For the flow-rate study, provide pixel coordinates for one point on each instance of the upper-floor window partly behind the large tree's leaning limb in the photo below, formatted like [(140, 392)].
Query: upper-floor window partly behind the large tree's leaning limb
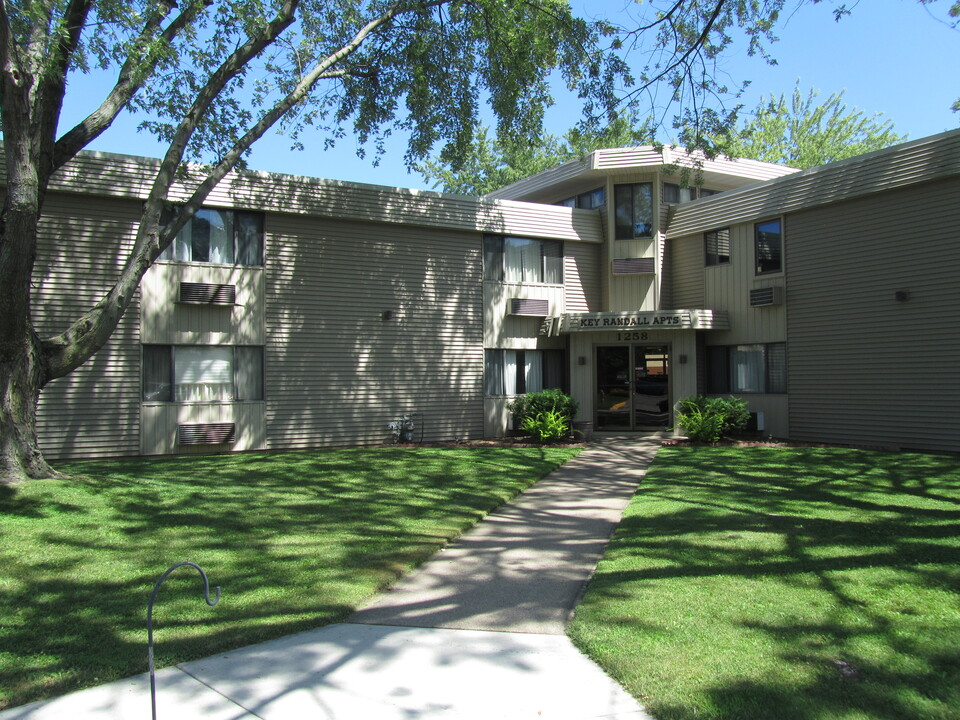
[(225, 237)]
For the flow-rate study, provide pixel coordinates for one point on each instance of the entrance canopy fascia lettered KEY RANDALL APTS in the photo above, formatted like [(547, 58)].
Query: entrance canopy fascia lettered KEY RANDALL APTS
[(695, 319)]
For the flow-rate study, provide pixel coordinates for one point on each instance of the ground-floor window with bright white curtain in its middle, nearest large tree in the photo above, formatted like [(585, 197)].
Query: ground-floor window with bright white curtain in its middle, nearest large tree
[(202, 373)]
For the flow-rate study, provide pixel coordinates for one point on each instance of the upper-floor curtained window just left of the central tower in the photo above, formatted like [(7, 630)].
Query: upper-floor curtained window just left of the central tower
[(513, 259)]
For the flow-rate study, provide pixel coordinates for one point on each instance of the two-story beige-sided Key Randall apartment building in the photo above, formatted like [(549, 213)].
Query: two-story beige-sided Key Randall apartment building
[(296, 312)]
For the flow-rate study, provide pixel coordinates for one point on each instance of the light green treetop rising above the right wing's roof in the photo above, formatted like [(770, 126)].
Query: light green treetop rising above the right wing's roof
[(804, 134)]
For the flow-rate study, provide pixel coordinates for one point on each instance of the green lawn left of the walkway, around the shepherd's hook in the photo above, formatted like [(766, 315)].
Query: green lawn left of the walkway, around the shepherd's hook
[(296, 540)]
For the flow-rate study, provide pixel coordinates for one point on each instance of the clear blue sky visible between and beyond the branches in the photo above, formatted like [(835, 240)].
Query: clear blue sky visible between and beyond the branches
[(895, 57)]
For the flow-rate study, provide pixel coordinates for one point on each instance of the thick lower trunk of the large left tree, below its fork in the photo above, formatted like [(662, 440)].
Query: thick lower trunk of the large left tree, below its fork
[(20, 383)]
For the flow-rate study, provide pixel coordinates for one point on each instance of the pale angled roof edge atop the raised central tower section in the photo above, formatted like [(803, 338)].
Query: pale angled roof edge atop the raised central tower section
[(601, 163)]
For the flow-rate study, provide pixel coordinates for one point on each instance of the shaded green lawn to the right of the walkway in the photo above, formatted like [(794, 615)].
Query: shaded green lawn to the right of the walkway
[(786, 583)]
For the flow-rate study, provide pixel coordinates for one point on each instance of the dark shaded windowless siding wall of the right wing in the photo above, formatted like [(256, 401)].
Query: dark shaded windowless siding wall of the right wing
[(865, 368)]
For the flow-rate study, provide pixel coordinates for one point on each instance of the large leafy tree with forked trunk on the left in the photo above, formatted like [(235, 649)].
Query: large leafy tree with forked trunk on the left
[(213, 76)]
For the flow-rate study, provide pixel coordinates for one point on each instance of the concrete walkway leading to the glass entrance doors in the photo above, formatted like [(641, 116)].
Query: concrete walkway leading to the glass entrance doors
[(475, 633)]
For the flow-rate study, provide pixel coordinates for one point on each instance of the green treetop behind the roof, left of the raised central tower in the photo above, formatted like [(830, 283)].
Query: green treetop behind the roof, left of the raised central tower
[(494, 163)]
